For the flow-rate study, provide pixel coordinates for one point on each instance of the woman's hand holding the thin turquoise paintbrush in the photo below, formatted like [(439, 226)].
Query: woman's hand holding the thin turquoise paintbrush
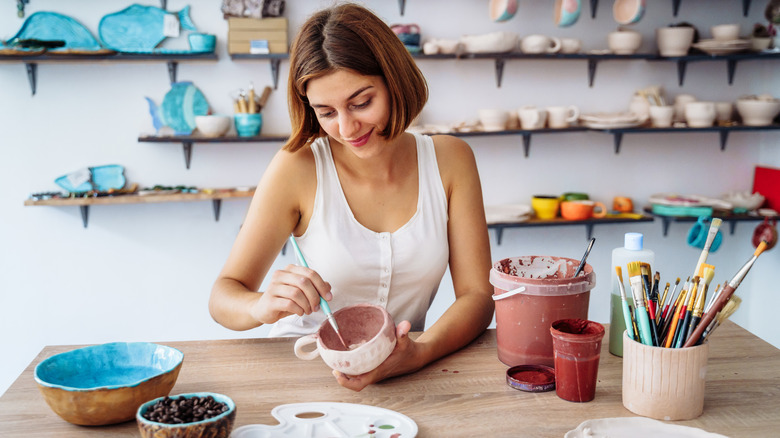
[(293, 290)]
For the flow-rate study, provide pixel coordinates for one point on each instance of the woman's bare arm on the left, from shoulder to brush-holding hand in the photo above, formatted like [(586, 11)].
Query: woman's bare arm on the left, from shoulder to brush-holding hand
[(275, 211)]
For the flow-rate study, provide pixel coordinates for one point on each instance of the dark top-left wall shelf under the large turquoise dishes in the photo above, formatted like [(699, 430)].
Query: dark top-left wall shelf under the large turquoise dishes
[(31, 62)]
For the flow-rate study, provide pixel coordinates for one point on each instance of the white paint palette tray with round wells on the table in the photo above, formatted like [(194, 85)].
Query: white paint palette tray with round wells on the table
[(325, 419)]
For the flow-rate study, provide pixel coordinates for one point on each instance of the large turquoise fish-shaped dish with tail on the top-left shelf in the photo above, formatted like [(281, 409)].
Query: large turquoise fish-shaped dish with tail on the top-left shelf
[(139, 28)]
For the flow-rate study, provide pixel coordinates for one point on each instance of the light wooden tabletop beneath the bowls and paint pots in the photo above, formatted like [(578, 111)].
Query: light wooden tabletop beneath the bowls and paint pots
[(462, 395)]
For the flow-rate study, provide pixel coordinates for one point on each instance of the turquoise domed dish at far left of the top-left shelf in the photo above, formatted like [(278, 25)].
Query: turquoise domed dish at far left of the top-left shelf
[(51, 26)]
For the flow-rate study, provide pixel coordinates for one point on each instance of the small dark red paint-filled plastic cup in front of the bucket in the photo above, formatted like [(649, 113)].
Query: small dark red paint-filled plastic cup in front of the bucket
[(576, 350)]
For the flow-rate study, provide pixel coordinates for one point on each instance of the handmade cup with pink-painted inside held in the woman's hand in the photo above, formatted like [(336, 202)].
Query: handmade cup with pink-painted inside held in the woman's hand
[(368, 331)]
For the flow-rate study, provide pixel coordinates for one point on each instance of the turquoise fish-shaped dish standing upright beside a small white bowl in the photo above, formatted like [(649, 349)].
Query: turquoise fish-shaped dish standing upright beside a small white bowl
[(179, 107)]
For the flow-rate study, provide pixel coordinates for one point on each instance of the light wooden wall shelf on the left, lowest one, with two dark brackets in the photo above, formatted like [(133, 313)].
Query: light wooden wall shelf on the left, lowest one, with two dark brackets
[(85, 202)]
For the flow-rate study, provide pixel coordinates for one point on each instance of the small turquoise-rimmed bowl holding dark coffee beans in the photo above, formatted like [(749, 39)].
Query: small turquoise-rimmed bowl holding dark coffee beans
[(216, 427)]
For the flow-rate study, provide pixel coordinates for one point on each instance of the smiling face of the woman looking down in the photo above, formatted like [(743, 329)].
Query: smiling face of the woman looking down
[(352, 109)]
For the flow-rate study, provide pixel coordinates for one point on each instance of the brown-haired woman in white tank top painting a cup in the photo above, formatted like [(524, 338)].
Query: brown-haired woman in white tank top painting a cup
[(378, 213)]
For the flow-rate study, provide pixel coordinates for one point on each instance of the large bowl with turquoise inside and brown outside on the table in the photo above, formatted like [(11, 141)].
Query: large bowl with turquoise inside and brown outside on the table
[(105, 384)]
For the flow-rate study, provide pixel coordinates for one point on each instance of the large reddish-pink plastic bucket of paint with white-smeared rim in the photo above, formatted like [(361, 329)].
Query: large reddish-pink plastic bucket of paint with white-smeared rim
[(551, 292)]
